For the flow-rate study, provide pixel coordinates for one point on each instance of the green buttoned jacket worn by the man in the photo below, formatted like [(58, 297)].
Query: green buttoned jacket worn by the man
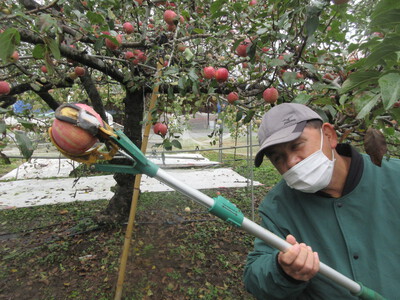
[(358, 235)]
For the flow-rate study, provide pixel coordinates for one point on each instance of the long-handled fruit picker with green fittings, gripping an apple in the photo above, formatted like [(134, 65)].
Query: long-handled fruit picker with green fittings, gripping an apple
[(86, 120)]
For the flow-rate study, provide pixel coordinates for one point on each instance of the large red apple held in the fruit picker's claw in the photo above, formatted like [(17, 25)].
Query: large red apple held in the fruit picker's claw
[(71, 138)]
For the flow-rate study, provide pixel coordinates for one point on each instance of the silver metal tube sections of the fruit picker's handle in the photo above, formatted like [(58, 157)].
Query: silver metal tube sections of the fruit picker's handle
[(256, 230)]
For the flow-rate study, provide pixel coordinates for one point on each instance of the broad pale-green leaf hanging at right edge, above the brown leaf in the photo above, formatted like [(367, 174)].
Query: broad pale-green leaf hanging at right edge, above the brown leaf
[(390, 89)]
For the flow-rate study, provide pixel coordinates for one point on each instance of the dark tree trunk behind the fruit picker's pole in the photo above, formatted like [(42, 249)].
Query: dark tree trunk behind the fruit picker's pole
[(119, 205)]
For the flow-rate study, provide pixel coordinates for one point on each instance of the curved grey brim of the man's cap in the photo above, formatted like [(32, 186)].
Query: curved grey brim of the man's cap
[(284, 135)]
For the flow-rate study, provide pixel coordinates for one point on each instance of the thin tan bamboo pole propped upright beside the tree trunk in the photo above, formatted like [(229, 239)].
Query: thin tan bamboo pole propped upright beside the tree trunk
[(136, 191)]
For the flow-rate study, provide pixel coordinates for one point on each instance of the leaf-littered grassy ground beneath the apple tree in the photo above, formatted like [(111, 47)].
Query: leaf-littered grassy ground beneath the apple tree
[(60, 252)]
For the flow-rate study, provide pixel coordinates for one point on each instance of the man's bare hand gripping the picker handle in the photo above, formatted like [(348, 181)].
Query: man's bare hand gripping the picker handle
[(299, 261)]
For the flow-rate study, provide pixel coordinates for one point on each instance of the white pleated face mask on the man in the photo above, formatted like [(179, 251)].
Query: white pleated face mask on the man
[(312, 174)]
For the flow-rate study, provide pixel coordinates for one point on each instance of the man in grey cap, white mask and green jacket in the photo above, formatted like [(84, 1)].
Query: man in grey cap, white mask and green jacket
[(332, 205)]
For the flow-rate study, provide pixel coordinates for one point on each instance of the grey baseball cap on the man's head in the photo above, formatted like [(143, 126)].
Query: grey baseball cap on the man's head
[(282, 123)]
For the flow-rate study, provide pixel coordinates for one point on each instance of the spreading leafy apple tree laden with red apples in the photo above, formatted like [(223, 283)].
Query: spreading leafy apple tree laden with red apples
[(337, 56)]
